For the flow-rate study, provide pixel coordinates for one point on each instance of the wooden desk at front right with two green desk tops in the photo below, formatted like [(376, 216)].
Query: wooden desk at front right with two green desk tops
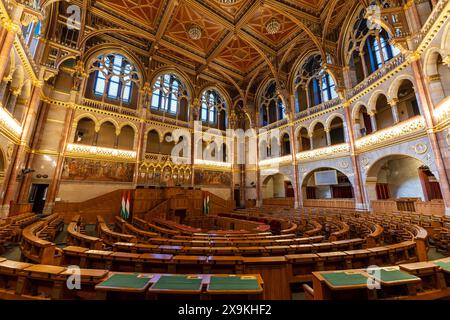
[(424, 280)]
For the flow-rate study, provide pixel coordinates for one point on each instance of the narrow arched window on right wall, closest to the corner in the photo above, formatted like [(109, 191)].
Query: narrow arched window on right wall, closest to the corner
[(272, 108)]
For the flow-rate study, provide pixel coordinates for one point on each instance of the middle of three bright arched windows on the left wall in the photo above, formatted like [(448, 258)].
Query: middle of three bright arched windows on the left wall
[(168, 92)]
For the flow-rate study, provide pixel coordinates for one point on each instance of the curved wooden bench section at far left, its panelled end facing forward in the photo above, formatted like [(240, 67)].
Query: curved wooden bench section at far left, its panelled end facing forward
[(38, 250)]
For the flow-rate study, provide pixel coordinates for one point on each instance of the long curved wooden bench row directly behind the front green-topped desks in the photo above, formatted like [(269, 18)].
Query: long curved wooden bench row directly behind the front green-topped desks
[(278, 272)]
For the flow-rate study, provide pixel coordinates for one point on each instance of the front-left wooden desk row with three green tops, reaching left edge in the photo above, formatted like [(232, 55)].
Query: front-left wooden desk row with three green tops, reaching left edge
[(25, 281)]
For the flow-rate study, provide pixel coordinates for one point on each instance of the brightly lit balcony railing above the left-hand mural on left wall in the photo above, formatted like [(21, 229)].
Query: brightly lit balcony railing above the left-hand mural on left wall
[(93, 151)]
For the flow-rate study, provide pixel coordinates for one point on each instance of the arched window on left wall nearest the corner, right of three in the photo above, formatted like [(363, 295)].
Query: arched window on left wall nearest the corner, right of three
[(212, 105)]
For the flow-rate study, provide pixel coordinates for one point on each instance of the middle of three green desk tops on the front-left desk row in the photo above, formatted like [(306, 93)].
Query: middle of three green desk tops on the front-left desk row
[(178, 284)]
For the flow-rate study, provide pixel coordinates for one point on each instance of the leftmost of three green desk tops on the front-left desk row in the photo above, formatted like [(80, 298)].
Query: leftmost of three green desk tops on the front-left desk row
[(136, 283)]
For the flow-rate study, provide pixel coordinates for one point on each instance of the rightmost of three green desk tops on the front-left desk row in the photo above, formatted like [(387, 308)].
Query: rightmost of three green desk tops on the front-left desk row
[(235, 284)]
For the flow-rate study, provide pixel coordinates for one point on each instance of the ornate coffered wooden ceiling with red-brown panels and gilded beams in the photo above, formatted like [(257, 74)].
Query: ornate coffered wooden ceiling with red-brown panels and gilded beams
[(233, 42)]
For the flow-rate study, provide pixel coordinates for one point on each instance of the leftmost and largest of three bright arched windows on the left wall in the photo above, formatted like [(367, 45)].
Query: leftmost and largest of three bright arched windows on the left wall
[(114, 77)]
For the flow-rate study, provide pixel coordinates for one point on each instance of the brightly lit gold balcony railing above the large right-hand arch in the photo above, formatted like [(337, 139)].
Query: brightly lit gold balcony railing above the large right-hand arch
[(402, 129)]
